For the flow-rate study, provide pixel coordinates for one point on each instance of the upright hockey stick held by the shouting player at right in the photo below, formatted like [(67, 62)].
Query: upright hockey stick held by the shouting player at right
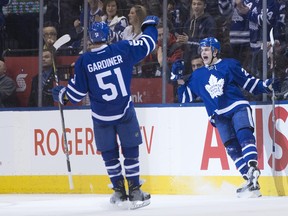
[(273, 99)]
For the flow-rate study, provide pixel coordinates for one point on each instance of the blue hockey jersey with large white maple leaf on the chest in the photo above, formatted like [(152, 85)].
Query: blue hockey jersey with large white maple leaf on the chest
[(219, 86)]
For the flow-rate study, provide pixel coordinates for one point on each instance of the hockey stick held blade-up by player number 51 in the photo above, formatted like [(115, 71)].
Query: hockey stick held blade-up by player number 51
[(60, 42)]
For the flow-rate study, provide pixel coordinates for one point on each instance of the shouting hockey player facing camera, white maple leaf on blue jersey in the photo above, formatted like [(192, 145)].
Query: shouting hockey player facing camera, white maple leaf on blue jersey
[(217, 83)]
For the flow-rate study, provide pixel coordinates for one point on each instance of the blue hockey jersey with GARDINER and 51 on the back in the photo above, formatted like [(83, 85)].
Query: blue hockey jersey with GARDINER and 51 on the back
[(105, 74)]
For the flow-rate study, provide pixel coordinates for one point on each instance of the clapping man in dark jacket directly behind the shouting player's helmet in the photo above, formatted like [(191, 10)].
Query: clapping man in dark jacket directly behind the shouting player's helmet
[(201, 25)]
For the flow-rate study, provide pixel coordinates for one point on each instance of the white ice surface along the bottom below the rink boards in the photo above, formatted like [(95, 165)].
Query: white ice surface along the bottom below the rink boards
[(176, 205)]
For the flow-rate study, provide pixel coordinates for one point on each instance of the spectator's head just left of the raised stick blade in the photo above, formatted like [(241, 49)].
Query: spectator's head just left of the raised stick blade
[(49, 34)]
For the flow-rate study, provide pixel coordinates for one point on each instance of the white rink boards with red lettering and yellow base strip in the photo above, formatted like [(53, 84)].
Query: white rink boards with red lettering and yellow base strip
[(181, 152)]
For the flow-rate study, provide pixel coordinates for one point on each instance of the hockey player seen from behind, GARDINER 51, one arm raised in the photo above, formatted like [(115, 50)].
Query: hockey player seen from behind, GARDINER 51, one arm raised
[(105, 74)]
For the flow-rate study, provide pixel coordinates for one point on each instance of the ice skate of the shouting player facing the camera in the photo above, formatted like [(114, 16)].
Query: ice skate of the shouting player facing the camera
[(251, 187)]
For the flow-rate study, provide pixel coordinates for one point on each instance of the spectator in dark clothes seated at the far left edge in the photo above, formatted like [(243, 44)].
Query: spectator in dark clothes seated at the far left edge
[(7, 88)]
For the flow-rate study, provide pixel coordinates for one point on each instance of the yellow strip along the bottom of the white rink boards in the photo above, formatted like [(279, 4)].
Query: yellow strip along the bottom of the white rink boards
[(186, 185)]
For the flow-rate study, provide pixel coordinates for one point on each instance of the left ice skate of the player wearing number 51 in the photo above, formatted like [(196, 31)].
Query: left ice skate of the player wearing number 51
[(119, 197)]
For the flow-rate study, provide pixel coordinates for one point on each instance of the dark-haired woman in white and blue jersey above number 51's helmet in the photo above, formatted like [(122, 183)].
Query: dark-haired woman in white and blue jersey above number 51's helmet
[(114, 19)]
